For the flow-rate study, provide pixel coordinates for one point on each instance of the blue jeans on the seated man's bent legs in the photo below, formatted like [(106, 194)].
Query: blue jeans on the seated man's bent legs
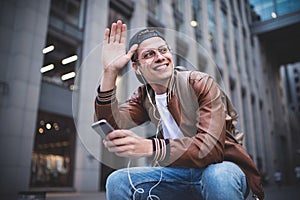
[(217, 181)]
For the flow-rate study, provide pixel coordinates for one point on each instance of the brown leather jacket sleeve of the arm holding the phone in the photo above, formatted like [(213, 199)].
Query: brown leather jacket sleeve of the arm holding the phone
[(207, 145)]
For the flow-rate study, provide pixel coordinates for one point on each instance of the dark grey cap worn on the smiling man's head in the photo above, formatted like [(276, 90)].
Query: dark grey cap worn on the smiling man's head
[(142, 35)]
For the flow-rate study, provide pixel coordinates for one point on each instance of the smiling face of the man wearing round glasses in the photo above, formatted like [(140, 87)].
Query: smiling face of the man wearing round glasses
[(155, 61)]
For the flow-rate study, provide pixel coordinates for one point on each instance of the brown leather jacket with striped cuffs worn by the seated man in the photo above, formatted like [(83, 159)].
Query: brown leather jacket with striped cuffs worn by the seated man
[(202, 115)]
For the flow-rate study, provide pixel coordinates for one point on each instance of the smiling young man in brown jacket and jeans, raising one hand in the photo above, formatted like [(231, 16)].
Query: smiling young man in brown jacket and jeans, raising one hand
[(193, 156)]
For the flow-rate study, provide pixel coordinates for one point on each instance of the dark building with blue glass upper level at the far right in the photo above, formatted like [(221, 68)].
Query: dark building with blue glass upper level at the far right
[(276, 25)]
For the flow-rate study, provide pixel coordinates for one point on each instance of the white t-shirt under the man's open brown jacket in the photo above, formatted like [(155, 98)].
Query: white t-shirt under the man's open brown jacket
[(169, 125)]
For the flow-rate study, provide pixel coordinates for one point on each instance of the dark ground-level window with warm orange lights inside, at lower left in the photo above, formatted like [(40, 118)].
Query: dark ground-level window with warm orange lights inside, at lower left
[(52, 162)]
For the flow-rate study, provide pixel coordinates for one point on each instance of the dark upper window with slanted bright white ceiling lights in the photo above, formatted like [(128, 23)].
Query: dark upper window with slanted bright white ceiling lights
[(63, 50)]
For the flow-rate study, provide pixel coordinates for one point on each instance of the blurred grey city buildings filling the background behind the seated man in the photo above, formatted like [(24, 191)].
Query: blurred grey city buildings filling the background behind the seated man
[(254, 44)]
